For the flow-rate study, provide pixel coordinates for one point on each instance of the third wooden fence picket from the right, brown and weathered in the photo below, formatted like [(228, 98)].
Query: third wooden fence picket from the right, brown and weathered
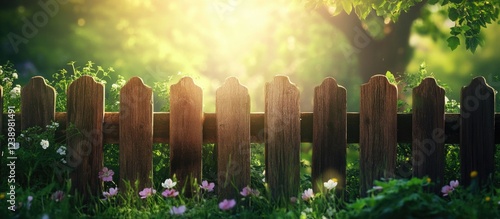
[(378, 131)]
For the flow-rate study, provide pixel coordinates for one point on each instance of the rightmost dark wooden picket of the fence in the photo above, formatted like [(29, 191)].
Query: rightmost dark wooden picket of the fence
[(477, 130)]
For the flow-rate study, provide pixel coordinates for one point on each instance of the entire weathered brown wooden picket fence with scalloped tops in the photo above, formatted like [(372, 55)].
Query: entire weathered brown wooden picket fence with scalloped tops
[(282, 127)]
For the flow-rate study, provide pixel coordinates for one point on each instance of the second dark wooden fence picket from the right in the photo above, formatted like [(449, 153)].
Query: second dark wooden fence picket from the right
[(428, 155)]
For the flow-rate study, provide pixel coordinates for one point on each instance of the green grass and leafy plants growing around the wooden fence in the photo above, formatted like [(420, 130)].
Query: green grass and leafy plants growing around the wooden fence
[(42, 185)]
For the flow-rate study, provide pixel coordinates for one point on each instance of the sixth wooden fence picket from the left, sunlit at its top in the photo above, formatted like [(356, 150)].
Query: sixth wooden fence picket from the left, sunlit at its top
[(282, 136)]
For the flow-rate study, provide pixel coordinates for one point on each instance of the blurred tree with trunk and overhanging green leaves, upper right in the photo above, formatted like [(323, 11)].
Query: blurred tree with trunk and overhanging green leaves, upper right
[(380, 30)]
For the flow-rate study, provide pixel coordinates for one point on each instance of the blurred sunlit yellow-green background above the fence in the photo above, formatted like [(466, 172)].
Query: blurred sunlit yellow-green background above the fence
[(211, 40)]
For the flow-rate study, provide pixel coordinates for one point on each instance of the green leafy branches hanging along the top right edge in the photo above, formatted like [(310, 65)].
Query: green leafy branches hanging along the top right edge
[(469, 17)]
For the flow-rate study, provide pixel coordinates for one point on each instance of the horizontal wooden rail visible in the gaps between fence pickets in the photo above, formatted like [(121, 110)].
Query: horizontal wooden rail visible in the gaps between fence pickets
[(161, 127)]
